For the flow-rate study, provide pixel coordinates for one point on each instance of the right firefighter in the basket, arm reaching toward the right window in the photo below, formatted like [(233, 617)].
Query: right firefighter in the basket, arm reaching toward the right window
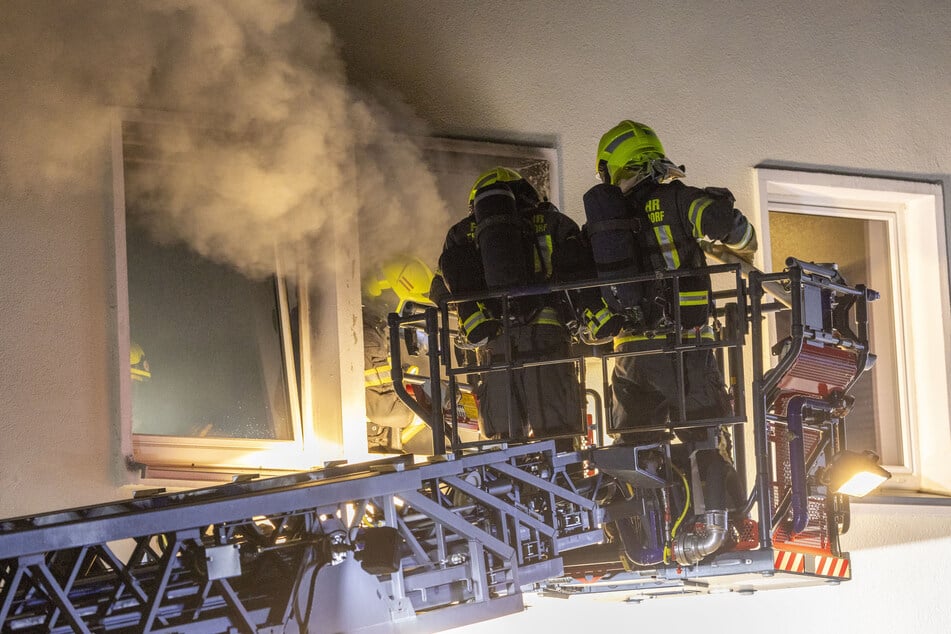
[(641, 218)]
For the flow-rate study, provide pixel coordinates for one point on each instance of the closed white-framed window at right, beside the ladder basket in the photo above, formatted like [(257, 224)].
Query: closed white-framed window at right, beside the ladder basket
[(889, 235)]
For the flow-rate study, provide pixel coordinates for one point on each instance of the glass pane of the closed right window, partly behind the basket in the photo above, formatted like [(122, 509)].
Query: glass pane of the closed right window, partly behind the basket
[(861, 249)]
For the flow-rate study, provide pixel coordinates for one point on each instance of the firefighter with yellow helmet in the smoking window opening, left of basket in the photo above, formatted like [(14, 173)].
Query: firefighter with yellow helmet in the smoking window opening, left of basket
[(401, 284)]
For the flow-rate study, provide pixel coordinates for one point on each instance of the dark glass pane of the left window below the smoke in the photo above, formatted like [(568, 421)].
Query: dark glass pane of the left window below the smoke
[(211, 338)]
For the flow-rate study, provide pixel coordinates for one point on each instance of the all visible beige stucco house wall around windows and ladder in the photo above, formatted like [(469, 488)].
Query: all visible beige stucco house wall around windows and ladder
[(857, 87)]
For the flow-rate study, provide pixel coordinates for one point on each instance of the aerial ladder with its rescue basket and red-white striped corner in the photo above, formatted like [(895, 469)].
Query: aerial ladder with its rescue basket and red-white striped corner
[(403, 545)]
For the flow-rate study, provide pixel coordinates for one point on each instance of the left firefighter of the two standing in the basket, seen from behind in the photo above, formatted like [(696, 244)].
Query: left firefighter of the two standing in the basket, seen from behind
[(514, 239)]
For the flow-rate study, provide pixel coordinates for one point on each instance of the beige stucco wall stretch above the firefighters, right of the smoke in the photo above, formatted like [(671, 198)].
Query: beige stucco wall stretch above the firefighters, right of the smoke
[(727, 85)]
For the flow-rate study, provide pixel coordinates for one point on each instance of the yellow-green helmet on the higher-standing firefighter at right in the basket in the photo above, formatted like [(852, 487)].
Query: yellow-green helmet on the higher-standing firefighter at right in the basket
[(627, 149)]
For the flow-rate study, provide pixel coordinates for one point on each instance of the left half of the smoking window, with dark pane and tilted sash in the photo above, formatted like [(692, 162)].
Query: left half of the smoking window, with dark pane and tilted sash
[(214, 355)]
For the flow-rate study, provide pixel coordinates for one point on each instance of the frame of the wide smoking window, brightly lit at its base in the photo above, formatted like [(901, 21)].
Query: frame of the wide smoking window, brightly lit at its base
[(328, 418)]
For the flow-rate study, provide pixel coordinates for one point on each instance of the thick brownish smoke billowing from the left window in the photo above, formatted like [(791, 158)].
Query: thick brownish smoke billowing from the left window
[(253, 140)]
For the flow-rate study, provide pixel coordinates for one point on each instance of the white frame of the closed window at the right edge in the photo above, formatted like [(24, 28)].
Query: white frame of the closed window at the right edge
[(915, 213)]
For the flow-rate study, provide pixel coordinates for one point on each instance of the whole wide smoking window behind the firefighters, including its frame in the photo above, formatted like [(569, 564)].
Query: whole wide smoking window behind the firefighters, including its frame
[(232, 372)]
